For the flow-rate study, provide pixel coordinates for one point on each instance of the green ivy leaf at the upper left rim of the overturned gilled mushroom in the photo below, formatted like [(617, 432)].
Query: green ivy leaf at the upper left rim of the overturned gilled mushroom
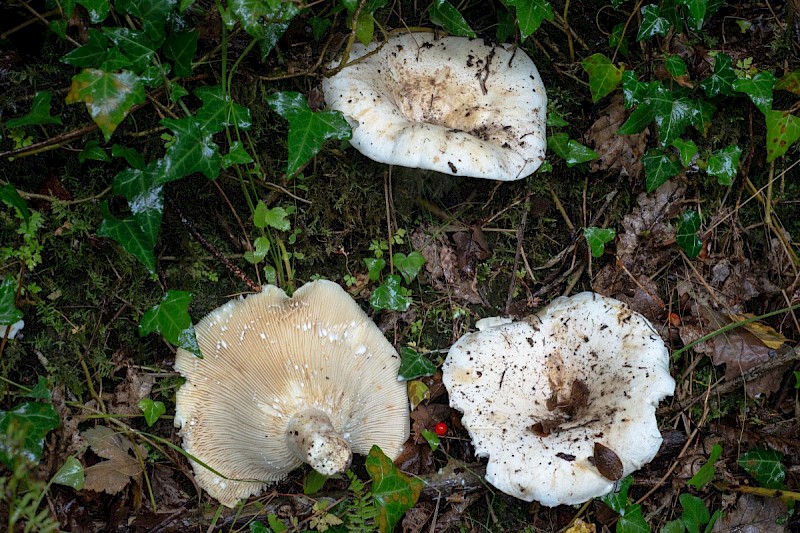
[(171, 319)]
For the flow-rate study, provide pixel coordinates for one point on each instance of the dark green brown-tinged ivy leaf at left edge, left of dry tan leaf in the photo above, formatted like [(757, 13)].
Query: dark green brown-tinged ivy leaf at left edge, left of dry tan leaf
[(23, 430)]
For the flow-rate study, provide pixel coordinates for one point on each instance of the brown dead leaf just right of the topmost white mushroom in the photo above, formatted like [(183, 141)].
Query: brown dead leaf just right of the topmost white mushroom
[(618, 152)]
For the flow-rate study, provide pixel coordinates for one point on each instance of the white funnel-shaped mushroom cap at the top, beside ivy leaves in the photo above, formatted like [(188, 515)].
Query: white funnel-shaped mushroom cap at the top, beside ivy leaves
[(454, 105)]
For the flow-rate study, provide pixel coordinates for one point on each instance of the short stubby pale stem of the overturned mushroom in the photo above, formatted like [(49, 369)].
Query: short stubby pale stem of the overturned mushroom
[(312, 438)]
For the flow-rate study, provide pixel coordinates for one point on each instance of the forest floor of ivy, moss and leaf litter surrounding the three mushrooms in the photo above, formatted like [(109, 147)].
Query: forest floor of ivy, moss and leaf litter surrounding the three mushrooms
[(708, 256)]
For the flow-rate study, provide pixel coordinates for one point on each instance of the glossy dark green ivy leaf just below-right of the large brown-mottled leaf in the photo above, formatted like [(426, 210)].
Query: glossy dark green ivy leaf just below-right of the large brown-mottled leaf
[(193, 150)]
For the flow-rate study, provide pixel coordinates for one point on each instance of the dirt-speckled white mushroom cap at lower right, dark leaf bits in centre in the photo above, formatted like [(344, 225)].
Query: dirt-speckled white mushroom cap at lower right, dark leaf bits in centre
[(507, 380)]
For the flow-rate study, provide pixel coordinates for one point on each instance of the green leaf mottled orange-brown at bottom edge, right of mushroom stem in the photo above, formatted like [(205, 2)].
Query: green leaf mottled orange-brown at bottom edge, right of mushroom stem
[(393, 491)]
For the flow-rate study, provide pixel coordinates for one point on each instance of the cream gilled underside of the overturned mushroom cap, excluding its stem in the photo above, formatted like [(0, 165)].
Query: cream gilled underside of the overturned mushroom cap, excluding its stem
[(267, 357)]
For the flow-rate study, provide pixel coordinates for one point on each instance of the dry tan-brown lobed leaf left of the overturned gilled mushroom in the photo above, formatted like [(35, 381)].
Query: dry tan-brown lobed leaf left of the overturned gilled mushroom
[(113, 475)]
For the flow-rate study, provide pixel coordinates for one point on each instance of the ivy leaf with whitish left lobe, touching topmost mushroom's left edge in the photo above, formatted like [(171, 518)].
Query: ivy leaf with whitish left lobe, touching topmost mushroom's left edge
[(308, 130)]
